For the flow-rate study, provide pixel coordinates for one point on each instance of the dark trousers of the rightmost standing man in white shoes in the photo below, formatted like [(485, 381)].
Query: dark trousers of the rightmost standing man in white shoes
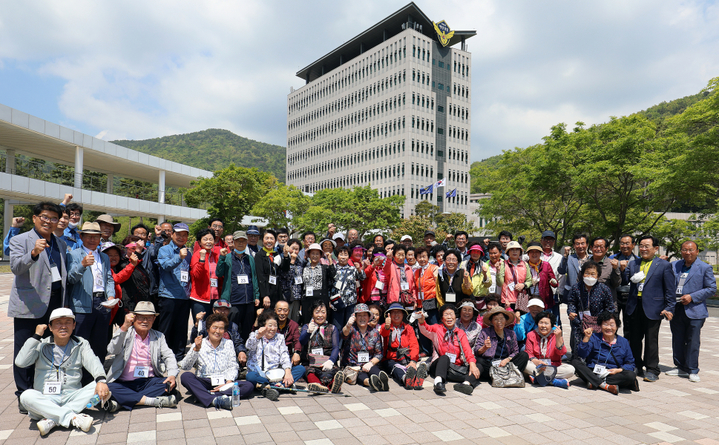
[(686, 340)]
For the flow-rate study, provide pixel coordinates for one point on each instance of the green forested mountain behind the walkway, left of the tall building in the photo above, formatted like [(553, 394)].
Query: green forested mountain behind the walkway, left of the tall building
[(213, 150)]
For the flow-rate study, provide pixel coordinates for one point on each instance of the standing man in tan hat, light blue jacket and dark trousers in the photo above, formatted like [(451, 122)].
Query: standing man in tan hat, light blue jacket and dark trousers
[(90, 285)]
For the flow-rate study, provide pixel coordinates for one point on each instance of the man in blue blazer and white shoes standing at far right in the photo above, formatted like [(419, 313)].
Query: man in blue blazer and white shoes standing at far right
[(694, 284)]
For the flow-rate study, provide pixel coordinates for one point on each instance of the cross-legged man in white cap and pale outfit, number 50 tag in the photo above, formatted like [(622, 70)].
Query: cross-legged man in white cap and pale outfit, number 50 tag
[(57, 396)]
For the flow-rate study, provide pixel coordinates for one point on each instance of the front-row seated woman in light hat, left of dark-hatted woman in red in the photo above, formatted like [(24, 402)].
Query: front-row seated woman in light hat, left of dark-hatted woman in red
[(364, 349)]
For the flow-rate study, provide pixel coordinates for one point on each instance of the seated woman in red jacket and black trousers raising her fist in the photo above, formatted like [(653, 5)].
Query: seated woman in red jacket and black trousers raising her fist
[(452, 357)]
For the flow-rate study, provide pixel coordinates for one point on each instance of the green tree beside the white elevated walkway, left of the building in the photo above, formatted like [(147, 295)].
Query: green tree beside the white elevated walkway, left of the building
[(230, 193)]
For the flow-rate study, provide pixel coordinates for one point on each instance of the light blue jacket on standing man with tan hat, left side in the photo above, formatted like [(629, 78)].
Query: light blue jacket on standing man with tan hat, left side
[(80, 280)]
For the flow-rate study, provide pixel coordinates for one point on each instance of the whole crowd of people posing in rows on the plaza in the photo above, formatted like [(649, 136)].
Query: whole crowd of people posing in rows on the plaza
[(105, 324)]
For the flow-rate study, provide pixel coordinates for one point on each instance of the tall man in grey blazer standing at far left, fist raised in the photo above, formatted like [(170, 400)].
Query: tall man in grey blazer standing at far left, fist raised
[(37, 259)]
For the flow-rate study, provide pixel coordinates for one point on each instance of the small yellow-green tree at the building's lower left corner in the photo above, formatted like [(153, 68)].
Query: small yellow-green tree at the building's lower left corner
[(282, 206)]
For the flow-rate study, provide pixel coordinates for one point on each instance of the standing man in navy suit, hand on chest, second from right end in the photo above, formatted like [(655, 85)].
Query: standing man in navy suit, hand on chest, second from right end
[(651, 297)]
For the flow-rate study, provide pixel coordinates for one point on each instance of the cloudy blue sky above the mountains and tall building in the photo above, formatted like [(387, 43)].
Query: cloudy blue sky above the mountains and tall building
[(139, 69)]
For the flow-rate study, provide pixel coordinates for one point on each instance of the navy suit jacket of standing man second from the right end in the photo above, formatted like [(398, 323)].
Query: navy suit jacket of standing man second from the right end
[(659, 289)]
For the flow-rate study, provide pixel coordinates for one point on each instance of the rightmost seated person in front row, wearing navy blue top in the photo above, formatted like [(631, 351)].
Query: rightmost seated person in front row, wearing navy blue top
[(608, 357)]
